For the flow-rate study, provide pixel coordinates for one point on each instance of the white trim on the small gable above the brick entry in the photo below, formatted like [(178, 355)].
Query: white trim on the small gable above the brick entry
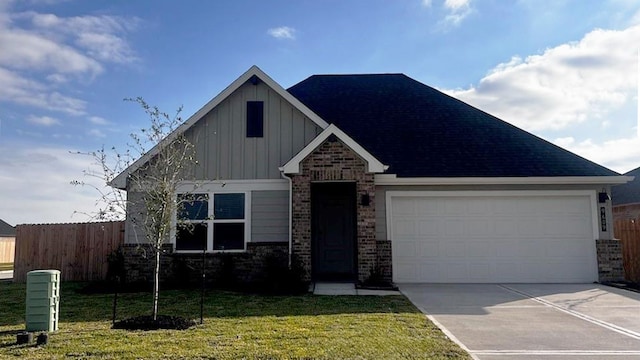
[(293, 165)]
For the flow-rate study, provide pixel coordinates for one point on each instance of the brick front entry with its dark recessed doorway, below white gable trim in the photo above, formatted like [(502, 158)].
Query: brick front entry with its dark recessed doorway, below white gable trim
[(333, 215)]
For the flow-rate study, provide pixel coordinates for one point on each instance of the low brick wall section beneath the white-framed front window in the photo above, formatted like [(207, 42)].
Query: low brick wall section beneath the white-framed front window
[(243, 267)]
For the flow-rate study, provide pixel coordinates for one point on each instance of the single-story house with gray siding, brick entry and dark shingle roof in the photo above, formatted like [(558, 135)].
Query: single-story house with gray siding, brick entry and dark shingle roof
[(358, 176)]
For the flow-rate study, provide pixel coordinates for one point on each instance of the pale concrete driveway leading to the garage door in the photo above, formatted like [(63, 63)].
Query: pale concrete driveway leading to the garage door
[(534, 321)]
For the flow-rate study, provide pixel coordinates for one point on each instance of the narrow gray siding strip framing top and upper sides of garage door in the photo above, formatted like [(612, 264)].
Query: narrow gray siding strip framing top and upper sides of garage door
[(381, 210)]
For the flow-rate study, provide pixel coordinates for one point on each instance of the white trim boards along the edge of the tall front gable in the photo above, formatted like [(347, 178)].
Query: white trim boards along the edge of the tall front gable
[(120, 181)]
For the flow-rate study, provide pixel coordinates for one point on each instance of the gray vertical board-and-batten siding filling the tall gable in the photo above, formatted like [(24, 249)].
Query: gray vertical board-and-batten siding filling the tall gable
[(223, 150)]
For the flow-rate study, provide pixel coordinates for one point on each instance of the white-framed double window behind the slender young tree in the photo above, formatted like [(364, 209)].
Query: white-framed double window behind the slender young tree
[(212, 222)]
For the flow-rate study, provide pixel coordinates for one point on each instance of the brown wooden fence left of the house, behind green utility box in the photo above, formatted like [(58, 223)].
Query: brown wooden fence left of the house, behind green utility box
[(79, 251)]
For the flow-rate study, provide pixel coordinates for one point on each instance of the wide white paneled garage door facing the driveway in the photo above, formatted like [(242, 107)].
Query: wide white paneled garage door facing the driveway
[(487, 237)]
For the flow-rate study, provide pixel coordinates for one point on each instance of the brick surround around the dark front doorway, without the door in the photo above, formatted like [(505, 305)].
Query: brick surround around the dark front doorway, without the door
[(334, 161)]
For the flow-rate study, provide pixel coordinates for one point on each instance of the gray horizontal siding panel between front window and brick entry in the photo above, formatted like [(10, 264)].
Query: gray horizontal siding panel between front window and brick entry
[(269, 216)]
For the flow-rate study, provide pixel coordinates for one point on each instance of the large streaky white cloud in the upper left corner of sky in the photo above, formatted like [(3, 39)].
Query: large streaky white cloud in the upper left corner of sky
[(57, 50)]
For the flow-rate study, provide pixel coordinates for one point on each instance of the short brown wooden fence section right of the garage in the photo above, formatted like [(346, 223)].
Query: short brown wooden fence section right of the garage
[(628, 231)]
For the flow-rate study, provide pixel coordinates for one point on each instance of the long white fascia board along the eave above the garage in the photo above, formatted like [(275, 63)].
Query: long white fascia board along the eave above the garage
[(392, 179)]
